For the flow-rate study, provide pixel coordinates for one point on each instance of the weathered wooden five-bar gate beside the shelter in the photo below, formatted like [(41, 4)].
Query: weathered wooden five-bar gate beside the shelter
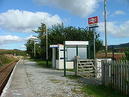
[(85, 67)]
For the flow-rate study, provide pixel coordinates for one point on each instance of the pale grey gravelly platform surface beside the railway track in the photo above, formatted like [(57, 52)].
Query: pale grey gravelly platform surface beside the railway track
[(30, 80)]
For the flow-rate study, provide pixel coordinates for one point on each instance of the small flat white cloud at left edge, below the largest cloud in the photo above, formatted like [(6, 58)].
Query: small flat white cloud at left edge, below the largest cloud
[(7, 39)]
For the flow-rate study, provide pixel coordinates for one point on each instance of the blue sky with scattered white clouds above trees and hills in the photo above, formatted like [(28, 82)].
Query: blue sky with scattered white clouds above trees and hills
[(19, 17)]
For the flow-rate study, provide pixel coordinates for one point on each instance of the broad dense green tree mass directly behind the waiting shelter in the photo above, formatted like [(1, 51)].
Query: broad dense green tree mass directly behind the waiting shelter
[(58, 34)]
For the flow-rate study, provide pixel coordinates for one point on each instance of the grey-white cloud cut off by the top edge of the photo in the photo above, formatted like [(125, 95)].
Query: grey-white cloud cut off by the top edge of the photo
[(81, 8)]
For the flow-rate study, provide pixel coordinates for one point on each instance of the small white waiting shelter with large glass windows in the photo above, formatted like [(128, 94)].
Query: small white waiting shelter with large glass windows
[(63, 54)]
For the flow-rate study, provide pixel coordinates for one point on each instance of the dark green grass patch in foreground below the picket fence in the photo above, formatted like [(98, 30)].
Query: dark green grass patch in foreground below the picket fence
[(100, 91)]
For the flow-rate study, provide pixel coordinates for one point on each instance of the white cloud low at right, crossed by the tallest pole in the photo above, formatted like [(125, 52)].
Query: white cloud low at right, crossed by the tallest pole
[(116, 29)]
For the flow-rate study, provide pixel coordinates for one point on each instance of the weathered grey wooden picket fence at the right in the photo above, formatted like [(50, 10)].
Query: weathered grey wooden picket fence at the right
[(116, 74)]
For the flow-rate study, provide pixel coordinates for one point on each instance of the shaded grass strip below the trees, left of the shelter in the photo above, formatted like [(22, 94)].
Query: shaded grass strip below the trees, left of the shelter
[(42, 63)]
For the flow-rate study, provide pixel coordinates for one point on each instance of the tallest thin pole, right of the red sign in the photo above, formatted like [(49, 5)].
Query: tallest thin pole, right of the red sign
[(105, 25)]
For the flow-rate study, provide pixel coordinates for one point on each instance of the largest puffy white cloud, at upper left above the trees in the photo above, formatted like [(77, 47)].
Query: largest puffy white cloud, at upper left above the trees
[(26, 21)]
